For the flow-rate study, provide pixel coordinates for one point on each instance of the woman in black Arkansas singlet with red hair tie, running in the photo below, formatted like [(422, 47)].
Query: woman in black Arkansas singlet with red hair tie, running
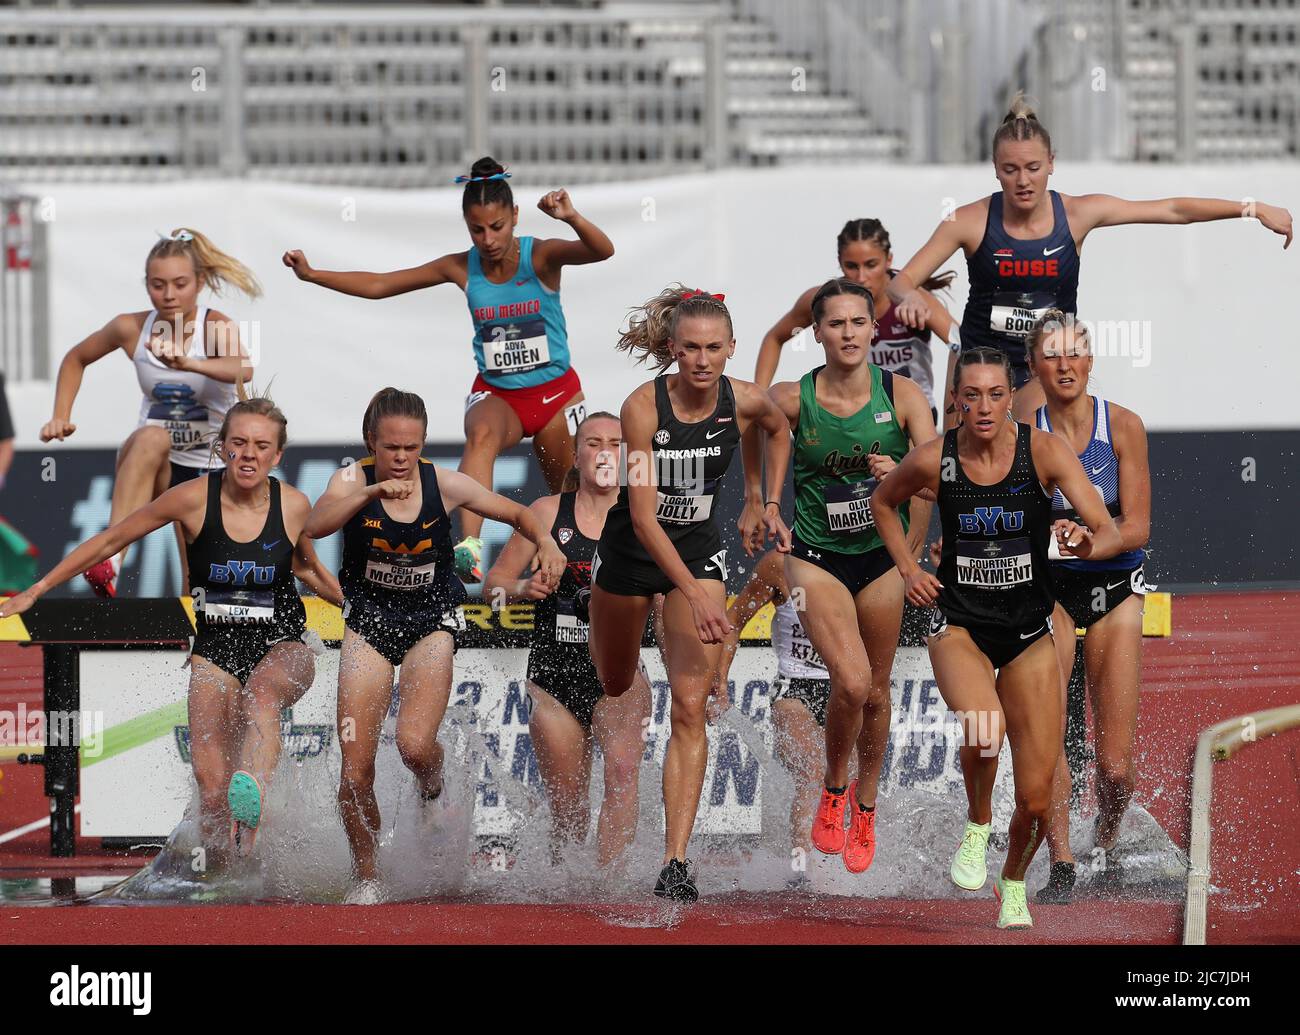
[(681, 432)]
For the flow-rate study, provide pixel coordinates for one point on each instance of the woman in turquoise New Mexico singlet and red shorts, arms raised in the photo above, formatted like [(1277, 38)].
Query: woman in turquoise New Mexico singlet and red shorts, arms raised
[(527, 387)]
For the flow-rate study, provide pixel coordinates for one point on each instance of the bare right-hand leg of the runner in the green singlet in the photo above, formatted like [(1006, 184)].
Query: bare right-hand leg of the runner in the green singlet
[(879, 621)]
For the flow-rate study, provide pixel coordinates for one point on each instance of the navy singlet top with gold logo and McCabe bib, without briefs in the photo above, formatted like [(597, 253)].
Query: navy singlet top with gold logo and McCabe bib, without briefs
[(402, 565)]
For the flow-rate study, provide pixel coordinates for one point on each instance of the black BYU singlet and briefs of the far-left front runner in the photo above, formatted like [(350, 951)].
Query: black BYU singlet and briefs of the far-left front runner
[(245, 596)]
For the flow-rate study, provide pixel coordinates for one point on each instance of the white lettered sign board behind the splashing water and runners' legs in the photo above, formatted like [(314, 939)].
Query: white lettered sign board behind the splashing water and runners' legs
[(140, 781)]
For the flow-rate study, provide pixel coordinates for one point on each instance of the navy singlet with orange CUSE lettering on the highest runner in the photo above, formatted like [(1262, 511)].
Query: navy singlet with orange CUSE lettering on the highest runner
[(1013, 283)]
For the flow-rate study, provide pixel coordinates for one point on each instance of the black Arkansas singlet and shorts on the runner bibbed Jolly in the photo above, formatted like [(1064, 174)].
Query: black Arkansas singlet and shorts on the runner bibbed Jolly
[(690, 462)]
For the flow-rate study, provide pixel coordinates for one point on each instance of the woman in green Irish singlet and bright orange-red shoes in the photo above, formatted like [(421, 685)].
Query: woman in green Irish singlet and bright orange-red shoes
[(852, 425)]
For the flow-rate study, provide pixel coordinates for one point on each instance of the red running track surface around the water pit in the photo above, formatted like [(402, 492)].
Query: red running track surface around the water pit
[(1229, 655)]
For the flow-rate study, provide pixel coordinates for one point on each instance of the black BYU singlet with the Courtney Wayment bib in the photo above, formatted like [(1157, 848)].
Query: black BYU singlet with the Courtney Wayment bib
[(995, 561)]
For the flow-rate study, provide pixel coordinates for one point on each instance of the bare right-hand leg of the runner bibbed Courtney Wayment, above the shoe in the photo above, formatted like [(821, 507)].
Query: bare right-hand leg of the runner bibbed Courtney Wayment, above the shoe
[(1030, 690)]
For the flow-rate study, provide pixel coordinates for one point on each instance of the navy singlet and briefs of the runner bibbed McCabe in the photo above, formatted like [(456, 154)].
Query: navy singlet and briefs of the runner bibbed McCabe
[(398, 578)]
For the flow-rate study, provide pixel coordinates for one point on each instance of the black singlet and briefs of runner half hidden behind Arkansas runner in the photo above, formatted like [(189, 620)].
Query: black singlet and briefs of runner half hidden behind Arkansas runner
[(560, 661)]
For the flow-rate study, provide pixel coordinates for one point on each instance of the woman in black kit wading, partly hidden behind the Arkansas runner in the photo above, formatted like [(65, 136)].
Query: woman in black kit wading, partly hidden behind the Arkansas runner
[(569, 713)]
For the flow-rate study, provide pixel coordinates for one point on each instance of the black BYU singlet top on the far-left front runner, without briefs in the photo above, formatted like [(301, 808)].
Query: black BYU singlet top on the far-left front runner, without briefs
[(244, 584)]
